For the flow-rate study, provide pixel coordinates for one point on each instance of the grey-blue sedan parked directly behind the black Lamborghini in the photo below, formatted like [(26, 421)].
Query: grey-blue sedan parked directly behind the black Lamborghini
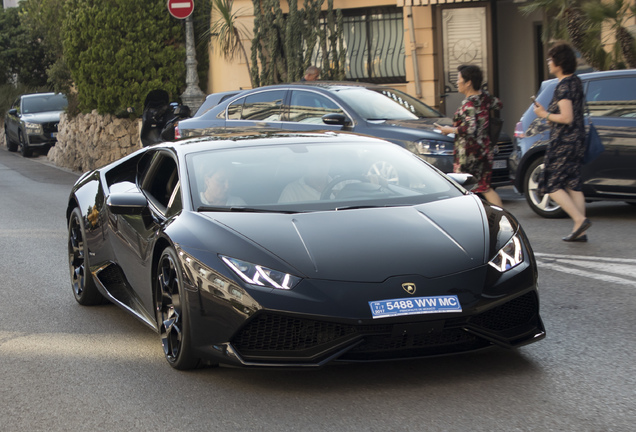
[(368, 109)]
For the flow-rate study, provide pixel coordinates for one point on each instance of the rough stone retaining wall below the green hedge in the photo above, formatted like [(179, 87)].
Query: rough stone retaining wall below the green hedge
[(91, 141)]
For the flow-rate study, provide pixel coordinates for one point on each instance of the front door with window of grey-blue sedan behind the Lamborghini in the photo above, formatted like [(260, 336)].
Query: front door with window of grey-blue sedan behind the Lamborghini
[(305, 110)]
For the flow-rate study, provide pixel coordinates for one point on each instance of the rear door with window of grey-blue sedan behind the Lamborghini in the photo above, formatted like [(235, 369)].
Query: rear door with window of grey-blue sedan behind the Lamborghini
[(262, 109)]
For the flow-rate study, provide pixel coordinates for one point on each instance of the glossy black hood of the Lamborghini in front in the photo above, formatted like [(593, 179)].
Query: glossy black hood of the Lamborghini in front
[(371, 245)]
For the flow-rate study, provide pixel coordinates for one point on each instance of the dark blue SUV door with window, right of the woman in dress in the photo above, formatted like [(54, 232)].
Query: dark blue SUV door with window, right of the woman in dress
[(612, 108)]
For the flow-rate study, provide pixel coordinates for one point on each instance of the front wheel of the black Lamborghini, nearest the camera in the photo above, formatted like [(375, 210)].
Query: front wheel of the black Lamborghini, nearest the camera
[(172, 313)]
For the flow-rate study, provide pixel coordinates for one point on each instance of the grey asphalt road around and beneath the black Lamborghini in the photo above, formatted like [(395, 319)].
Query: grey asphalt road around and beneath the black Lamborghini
[(64, 367)]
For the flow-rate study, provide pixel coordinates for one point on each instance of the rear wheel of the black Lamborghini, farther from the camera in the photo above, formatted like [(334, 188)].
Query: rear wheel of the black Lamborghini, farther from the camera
[(82, 283)]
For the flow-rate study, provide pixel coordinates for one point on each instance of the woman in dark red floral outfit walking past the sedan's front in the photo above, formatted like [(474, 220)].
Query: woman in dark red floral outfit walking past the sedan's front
[(473, 149)]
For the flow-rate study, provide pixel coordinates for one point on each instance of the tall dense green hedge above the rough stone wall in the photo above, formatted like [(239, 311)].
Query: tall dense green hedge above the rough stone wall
[(119, 50)]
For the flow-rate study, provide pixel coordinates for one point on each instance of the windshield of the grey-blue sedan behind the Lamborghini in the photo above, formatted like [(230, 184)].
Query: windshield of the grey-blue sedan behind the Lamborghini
[(386, 104)]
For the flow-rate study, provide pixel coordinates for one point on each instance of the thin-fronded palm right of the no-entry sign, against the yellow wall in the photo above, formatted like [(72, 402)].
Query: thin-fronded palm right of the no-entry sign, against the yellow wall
[(227, 32)]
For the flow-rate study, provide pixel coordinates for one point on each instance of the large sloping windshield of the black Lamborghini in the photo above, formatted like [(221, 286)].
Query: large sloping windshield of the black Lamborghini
[(313, 177)]
